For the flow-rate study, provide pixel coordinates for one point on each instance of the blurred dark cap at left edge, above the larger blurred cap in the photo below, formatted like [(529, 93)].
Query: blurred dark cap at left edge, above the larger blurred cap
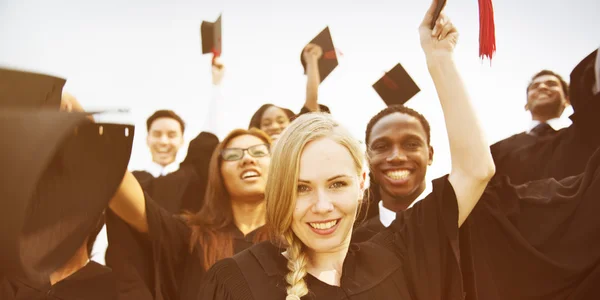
[(22, 89)]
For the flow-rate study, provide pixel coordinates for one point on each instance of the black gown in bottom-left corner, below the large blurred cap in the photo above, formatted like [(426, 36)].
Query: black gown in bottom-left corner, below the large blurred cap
[(92, 282)]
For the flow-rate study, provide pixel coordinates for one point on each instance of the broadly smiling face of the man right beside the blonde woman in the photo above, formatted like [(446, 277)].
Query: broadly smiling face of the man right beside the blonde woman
[(399, 155)]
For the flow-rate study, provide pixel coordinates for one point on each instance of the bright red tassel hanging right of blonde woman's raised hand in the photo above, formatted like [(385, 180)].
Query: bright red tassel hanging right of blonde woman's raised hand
[(487, 30)]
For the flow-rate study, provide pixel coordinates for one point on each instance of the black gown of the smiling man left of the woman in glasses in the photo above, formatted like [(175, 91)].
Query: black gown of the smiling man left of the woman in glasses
[(129, 253)]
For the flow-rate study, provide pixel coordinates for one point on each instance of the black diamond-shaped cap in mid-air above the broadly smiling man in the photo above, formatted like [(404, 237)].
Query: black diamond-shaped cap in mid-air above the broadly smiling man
[(396, 86)]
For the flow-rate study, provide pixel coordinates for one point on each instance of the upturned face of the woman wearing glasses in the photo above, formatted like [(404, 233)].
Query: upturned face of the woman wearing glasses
[(245, 177)]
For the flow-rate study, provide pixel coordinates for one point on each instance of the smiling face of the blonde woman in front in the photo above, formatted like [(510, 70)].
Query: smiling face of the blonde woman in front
[(328, 198)]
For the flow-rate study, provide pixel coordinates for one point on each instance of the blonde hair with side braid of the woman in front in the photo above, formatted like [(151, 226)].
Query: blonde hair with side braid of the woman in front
[(282, 187)]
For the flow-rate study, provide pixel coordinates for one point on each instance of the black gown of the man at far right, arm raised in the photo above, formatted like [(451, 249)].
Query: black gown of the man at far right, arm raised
[(566, 152)]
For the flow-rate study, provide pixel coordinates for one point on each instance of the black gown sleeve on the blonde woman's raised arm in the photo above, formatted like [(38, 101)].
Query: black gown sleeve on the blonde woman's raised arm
[(425, 238)]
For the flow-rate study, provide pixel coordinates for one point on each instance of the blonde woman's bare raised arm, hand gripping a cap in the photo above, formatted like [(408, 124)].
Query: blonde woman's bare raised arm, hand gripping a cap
[(472, 164)]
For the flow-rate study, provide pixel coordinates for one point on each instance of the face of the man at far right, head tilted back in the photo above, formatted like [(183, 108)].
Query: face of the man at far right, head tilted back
[(545, 96)]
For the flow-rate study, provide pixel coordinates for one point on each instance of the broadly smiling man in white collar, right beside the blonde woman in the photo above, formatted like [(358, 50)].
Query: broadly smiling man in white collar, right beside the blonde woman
[(399, 153)]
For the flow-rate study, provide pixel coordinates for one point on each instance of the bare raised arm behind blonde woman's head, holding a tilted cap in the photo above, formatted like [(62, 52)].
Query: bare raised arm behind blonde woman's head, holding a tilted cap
[(312, 54)]
